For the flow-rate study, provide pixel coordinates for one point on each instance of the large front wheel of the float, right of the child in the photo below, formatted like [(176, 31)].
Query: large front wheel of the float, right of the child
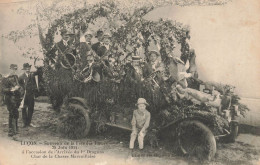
[(196, 139)]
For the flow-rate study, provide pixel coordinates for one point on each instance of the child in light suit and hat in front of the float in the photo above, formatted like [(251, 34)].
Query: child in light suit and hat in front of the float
[(140, 123)]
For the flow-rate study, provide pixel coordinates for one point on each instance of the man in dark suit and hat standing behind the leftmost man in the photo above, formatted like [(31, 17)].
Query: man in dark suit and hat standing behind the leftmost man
[(28, 84)]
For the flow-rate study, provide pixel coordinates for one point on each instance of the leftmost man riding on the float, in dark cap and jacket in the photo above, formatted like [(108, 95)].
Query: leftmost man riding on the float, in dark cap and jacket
[(63, 46)]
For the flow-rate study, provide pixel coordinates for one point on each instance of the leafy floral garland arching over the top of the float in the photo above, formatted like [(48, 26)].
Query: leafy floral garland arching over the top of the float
[(132, 24)]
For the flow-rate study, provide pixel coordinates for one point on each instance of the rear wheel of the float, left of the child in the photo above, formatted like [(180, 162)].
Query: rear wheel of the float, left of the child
[(75, 121)]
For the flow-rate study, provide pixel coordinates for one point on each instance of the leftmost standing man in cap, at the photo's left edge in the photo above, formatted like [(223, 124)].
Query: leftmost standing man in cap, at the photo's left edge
[(12, 92)]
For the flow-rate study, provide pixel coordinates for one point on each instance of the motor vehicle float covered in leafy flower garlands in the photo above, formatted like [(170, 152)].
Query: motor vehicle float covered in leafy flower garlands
[(191, 117)]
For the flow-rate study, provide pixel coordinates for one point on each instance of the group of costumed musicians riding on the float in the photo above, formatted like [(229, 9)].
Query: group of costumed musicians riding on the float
[(159, 66)]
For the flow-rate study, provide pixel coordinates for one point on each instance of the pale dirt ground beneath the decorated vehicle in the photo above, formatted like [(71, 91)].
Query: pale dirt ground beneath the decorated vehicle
[(113, 144)]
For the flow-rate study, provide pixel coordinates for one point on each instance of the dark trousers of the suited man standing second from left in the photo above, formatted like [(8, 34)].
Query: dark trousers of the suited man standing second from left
[(27, 110)]
